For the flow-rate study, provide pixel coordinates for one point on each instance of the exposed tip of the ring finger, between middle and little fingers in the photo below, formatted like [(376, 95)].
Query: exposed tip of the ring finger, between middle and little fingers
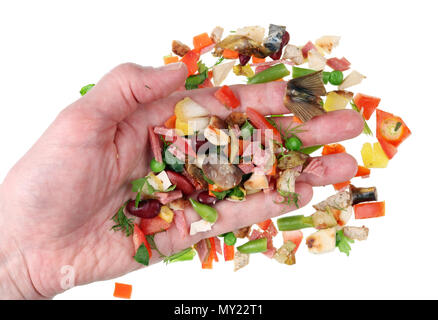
[(338, 168)]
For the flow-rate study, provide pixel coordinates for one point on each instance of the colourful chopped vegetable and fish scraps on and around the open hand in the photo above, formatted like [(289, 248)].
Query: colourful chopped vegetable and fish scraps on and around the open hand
[(201, 159)]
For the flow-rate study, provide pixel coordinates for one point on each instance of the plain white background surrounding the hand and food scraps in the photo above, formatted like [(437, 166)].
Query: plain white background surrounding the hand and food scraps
[(50, 49)]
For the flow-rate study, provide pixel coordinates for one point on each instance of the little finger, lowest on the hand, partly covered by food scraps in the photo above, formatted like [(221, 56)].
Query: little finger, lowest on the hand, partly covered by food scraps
[(231, 216)]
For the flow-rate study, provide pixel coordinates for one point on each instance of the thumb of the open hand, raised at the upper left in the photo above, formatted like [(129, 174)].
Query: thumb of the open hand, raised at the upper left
[(123, 89)]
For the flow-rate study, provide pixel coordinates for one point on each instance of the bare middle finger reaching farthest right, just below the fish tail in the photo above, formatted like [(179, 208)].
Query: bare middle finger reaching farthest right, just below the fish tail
[(331, 127)]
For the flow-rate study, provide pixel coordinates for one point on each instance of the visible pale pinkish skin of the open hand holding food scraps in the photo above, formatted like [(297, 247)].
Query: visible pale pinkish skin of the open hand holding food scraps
[(56, 203)]
